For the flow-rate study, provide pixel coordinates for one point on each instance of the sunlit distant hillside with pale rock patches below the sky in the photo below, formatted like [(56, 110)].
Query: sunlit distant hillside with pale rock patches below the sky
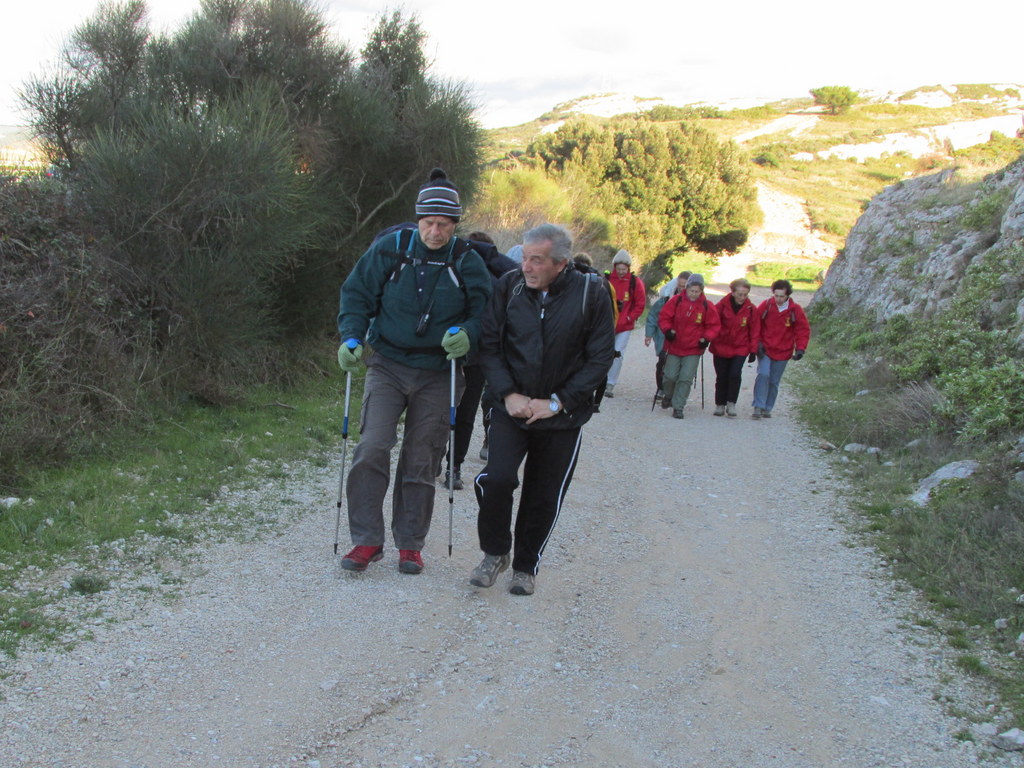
[(836, 164)]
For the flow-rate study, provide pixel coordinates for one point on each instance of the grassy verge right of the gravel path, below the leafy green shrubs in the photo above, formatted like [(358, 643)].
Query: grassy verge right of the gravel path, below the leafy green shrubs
[(963, 550)]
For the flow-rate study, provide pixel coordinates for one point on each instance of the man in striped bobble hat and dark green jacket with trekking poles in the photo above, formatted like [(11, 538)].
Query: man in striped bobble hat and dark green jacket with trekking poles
[(416, 300)]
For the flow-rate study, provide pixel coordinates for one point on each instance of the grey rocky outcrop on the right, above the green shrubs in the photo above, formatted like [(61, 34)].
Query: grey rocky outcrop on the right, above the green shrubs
[(911, 249)]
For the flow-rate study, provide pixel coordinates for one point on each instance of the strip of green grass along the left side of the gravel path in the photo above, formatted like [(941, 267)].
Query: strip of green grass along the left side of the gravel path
[(162, 482)]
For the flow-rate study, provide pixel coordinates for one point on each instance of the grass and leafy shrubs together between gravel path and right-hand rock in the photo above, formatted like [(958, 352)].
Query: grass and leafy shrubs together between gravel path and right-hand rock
[(928, 393)]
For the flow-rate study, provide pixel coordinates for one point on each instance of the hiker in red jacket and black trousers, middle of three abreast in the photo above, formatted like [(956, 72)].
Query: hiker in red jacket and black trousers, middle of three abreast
[(737, 344)]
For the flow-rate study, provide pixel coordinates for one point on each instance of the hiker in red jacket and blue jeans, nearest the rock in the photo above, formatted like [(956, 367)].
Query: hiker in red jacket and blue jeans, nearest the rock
[(785, 335)]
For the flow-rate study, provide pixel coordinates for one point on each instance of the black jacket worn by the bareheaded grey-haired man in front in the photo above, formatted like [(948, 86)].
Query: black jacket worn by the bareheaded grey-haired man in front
[(562, 345)]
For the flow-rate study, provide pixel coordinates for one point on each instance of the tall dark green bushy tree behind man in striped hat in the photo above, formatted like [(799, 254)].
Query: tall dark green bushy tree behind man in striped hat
[(240, 164)]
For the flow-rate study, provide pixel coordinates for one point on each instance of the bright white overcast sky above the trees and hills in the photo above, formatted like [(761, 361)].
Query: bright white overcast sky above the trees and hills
[(522, 59)]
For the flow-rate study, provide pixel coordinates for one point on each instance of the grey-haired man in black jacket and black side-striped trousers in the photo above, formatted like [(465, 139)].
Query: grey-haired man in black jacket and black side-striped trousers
[(547, 344)]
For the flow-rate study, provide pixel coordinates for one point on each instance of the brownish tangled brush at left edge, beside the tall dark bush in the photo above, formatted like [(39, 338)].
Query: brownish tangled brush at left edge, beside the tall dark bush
[(68, 333)]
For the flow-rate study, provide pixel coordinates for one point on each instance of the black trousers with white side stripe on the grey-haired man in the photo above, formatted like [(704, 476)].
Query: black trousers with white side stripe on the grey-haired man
[(551, 458)]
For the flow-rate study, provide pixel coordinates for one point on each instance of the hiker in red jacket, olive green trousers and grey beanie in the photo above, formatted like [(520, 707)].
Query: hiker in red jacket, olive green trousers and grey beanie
[(690, 323)]
